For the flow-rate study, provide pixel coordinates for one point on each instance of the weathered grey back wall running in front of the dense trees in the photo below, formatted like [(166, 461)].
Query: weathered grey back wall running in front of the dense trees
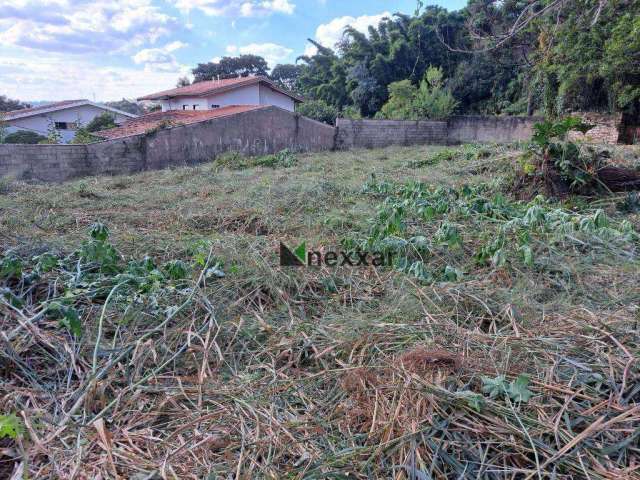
[(459, 129)]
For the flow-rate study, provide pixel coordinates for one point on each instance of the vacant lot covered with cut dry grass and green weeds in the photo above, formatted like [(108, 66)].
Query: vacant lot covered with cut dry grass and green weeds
[(171, 344)]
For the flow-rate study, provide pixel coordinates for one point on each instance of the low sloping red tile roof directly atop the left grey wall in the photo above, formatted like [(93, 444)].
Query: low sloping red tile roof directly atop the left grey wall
[(172, 118)]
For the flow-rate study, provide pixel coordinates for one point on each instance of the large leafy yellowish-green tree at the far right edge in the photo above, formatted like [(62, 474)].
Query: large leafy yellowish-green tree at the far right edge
[(587, 65)]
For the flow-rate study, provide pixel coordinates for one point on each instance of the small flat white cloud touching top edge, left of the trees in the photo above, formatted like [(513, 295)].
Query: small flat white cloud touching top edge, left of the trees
[(236, 8)]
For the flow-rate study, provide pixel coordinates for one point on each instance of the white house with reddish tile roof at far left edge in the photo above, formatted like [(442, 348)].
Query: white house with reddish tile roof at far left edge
[(65, 117)]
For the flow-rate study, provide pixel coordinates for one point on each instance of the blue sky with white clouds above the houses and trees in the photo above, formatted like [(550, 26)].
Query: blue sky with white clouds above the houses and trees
[(108, 50)]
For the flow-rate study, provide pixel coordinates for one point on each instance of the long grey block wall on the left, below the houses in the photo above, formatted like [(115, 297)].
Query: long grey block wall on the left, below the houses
[(256, 132)]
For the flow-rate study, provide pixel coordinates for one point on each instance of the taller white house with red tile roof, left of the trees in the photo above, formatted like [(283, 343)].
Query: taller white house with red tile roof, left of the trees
[(214, 94)]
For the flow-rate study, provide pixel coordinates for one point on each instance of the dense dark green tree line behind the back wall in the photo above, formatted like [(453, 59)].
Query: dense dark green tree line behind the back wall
[(496, 57)]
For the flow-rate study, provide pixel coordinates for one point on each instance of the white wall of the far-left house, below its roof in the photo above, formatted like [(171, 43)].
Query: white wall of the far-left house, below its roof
[(40, 123)]
